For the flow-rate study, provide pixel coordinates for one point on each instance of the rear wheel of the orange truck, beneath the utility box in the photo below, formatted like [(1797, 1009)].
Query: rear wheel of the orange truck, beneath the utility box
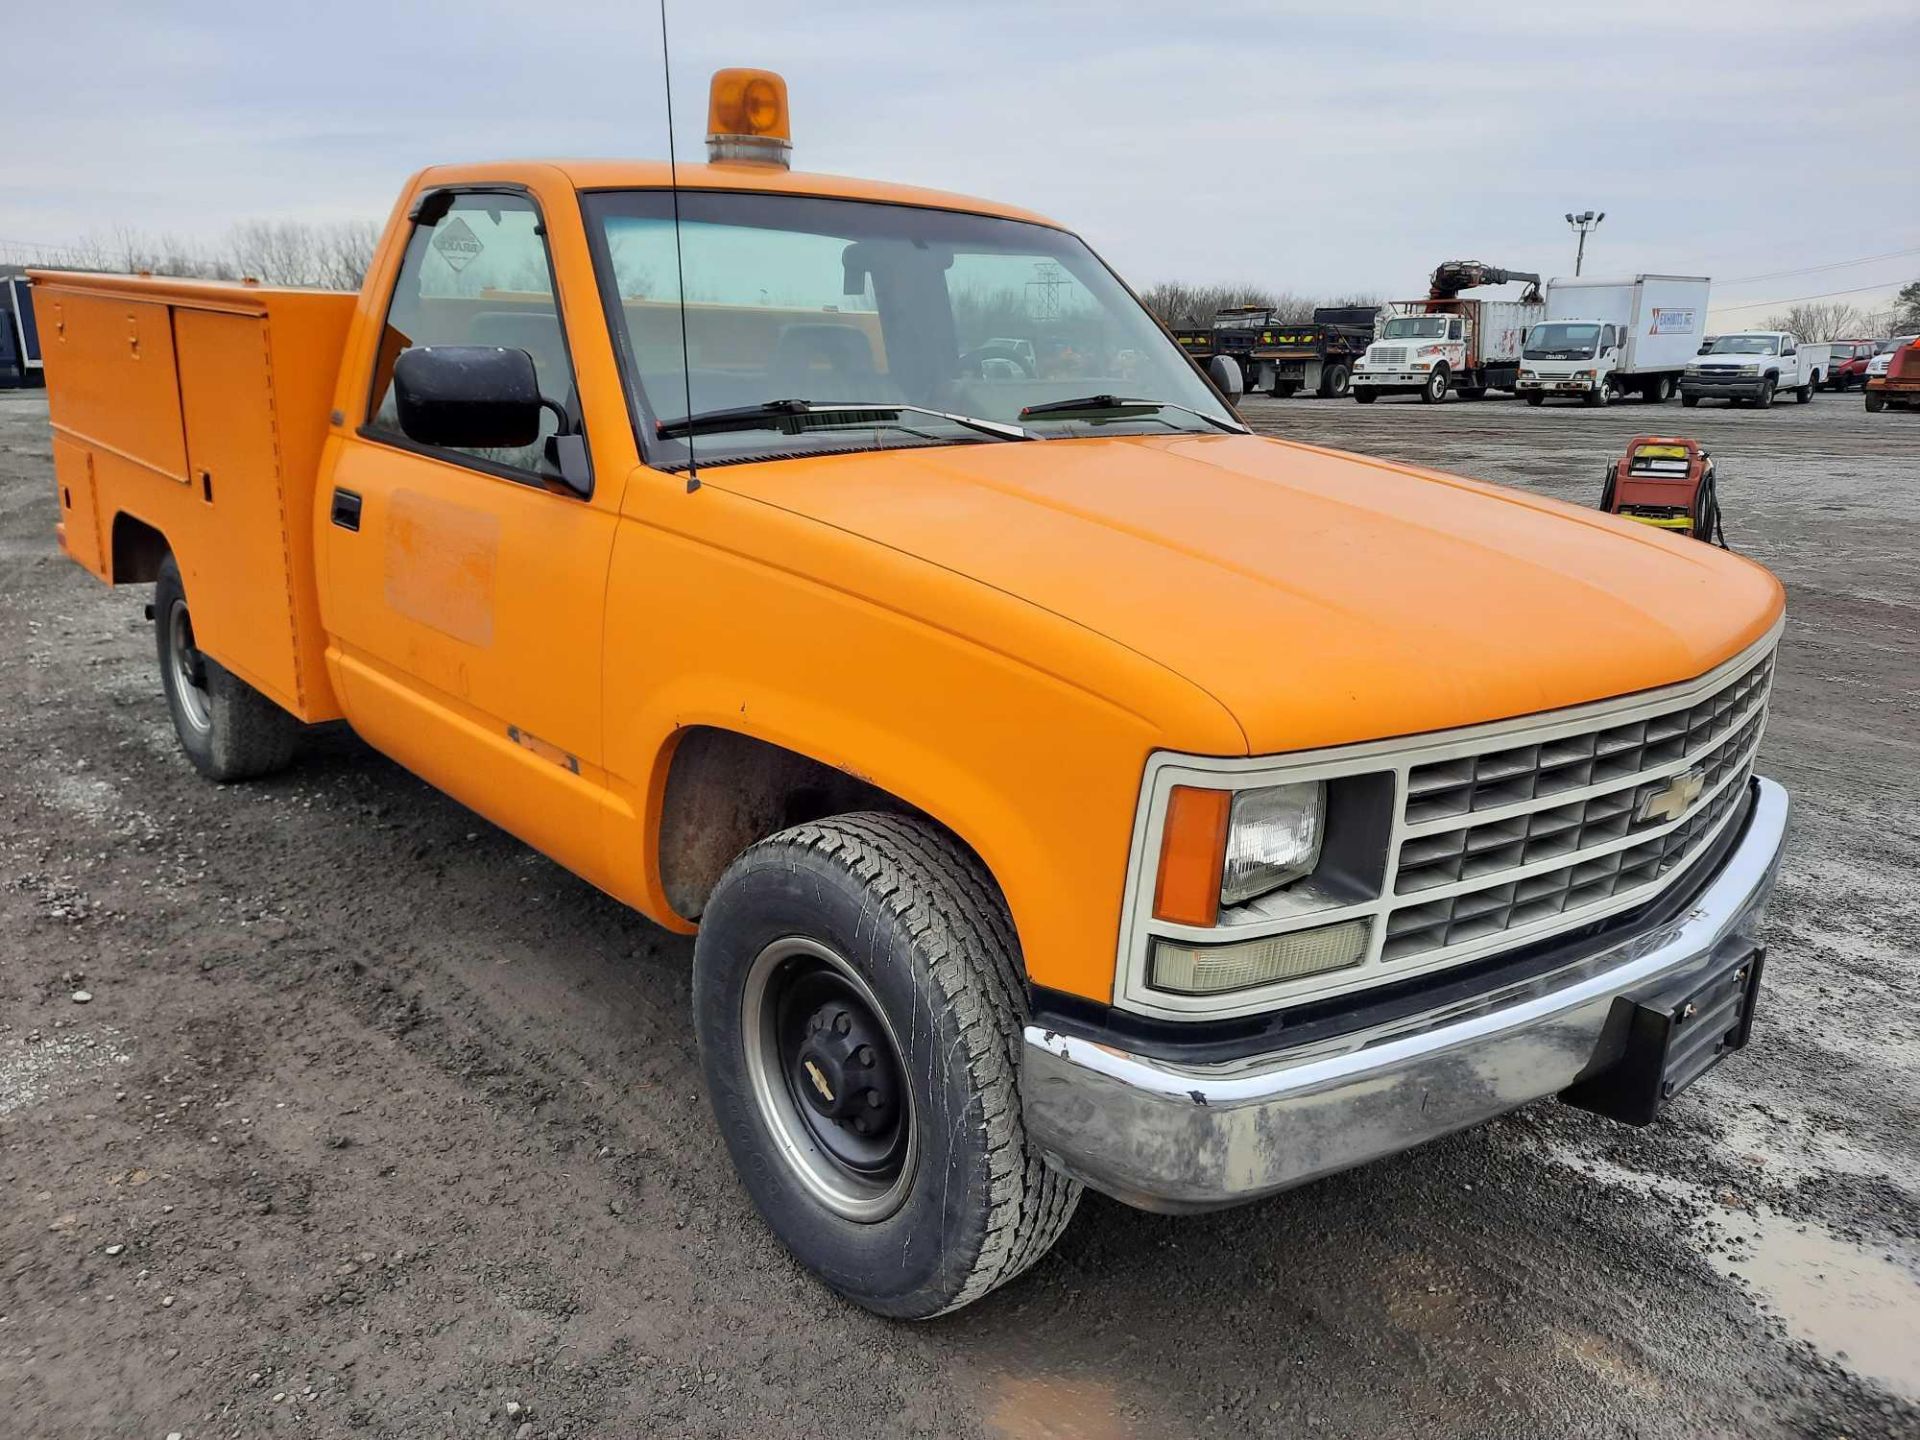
[(228, 729)]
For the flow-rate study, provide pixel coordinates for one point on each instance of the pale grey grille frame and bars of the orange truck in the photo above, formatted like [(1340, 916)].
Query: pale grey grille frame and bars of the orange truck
[(1401, 757)]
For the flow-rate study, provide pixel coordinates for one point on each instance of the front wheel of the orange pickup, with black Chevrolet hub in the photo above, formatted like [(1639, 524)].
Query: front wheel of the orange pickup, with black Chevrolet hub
[(863, 957)]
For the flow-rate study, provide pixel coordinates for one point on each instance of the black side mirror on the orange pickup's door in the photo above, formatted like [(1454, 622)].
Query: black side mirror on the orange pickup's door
[(468, 396)]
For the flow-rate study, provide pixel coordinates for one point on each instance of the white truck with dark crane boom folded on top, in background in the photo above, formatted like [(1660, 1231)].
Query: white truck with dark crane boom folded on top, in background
[(1447, 343)]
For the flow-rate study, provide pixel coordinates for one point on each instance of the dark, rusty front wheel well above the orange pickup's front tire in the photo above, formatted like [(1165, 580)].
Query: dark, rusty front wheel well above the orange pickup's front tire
[(725, 792)]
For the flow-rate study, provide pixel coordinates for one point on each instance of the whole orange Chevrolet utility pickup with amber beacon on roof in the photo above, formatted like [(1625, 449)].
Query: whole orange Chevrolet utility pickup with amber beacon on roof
[(1067, 786)]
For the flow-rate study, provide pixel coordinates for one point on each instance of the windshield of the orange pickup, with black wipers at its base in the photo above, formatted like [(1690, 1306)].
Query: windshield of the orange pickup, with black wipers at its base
[(842, 300)]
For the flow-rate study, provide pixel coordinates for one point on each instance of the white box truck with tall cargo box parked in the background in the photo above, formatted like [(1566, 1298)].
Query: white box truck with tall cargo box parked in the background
[(1604, 339)]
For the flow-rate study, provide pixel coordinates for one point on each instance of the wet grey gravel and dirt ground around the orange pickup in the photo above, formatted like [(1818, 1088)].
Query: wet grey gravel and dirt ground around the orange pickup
[(381, 1124)]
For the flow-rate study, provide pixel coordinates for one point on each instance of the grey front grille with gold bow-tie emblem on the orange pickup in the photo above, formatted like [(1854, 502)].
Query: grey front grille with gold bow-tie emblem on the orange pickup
[(1525, 834)]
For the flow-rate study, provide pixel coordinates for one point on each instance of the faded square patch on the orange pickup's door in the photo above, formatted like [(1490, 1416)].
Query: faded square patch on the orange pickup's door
[(441, 564)]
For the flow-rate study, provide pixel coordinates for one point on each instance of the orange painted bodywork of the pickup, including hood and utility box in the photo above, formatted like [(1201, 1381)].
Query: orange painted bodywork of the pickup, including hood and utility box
[(997, 635)]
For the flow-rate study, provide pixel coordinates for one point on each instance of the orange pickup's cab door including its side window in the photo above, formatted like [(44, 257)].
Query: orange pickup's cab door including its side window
[(466, 588)]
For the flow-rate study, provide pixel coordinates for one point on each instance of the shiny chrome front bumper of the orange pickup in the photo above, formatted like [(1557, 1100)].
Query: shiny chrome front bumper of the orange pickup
[(1201, 1138)]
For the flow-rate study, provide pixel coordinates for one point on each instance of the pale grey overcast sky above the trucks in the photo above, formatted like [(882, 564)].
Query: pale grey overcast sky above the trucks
[(1305, 147)]
